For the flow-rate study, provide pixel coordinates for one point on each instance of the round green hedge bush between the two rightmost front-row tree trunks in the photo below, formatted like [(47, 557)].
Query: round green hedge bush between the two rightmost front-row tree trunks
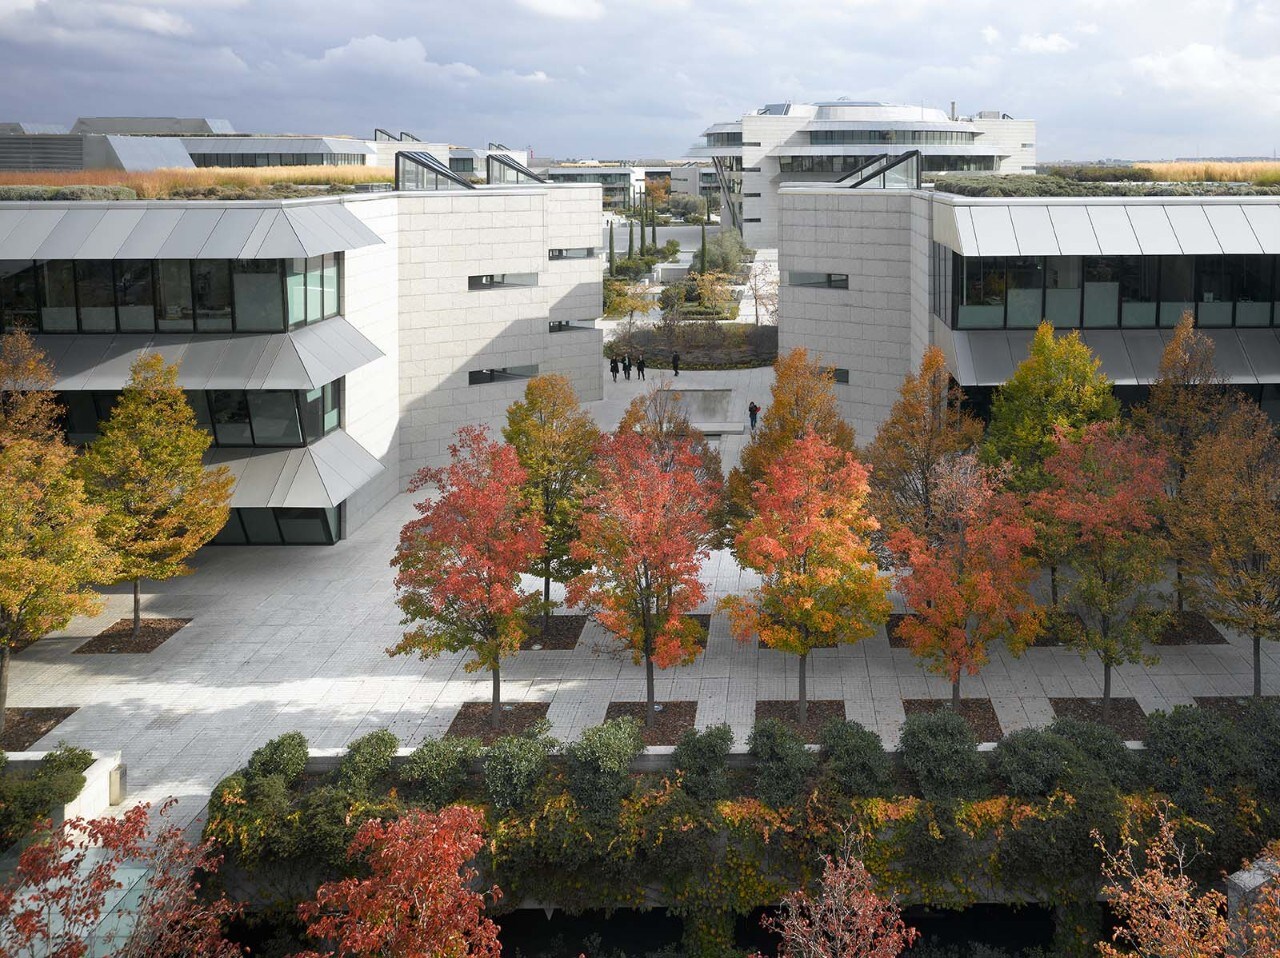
[(1191, 750)]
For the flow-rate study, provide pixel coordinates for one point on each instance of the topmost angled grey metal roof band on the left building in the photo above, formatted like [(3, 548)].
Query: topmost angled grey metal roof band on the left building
[(162, 231)]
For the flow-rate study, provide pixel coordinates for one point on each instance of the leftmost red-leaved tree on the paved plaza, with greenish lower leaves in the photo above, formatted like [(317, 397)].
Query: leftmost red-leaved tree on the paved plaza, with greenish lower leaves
[(461, 560)]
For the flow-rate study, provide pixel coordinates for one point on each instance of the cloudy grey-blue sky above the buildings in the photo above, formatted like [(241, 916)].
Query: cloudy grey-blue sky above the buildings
[(1133, 79)]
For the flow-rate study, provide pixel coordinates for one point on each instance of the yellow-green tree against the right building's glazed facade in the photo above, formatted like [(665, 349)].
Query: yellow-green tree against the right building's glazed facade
[(1059, 386)]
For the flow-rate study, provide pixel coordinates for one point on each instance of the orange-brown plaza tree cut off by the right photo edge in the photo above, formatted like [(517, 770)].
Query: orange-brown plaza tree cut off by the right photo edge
[(1227, 526)]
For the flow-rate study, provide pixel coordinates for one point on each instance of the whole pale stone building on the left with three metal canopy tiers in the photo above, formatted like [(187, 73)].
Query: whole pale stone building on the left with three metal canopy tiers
[(331, 346)]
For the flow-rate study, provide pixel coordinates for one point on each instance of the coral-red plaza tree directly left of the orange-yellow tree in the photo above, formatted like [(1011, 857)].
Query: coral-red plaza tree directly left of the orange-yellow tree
[(644, 537)]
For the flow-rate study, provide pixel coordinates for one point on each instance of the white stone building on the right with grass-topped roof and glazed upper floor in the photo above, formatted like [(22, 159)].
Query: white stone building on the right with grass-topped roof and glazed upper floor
[(872, 277)]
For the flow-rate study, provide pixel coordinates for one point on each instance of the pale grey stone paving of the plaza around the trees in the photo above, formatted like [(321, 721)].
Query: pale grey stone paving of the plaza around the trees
[(290, 638)]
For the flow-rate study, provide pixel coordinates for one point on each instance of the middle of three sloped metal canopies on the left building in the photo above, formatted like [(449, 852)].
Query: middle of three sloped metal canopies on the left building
[(304, 359)]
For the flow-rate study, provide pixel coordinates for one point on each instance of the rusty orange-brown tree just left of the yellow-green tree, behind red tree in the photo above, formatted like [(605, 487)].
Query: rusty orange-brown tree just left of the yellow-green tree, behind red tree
[(926, 427)]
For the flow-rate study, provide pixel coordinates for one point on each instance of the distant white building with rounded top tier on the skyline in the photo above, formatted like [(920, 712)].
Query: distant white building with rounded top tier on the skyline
[(835, 140)]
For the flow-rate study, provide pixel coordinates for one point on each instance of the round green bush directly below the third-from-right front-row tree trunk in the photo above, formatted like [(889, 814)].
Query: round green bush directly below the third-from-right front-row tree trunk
[(941, 752)]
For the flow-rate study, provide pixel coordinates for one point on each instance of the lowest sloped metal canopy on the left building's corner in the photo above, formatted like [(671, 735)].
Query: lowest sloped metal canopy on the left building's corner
[(321, 476)]
